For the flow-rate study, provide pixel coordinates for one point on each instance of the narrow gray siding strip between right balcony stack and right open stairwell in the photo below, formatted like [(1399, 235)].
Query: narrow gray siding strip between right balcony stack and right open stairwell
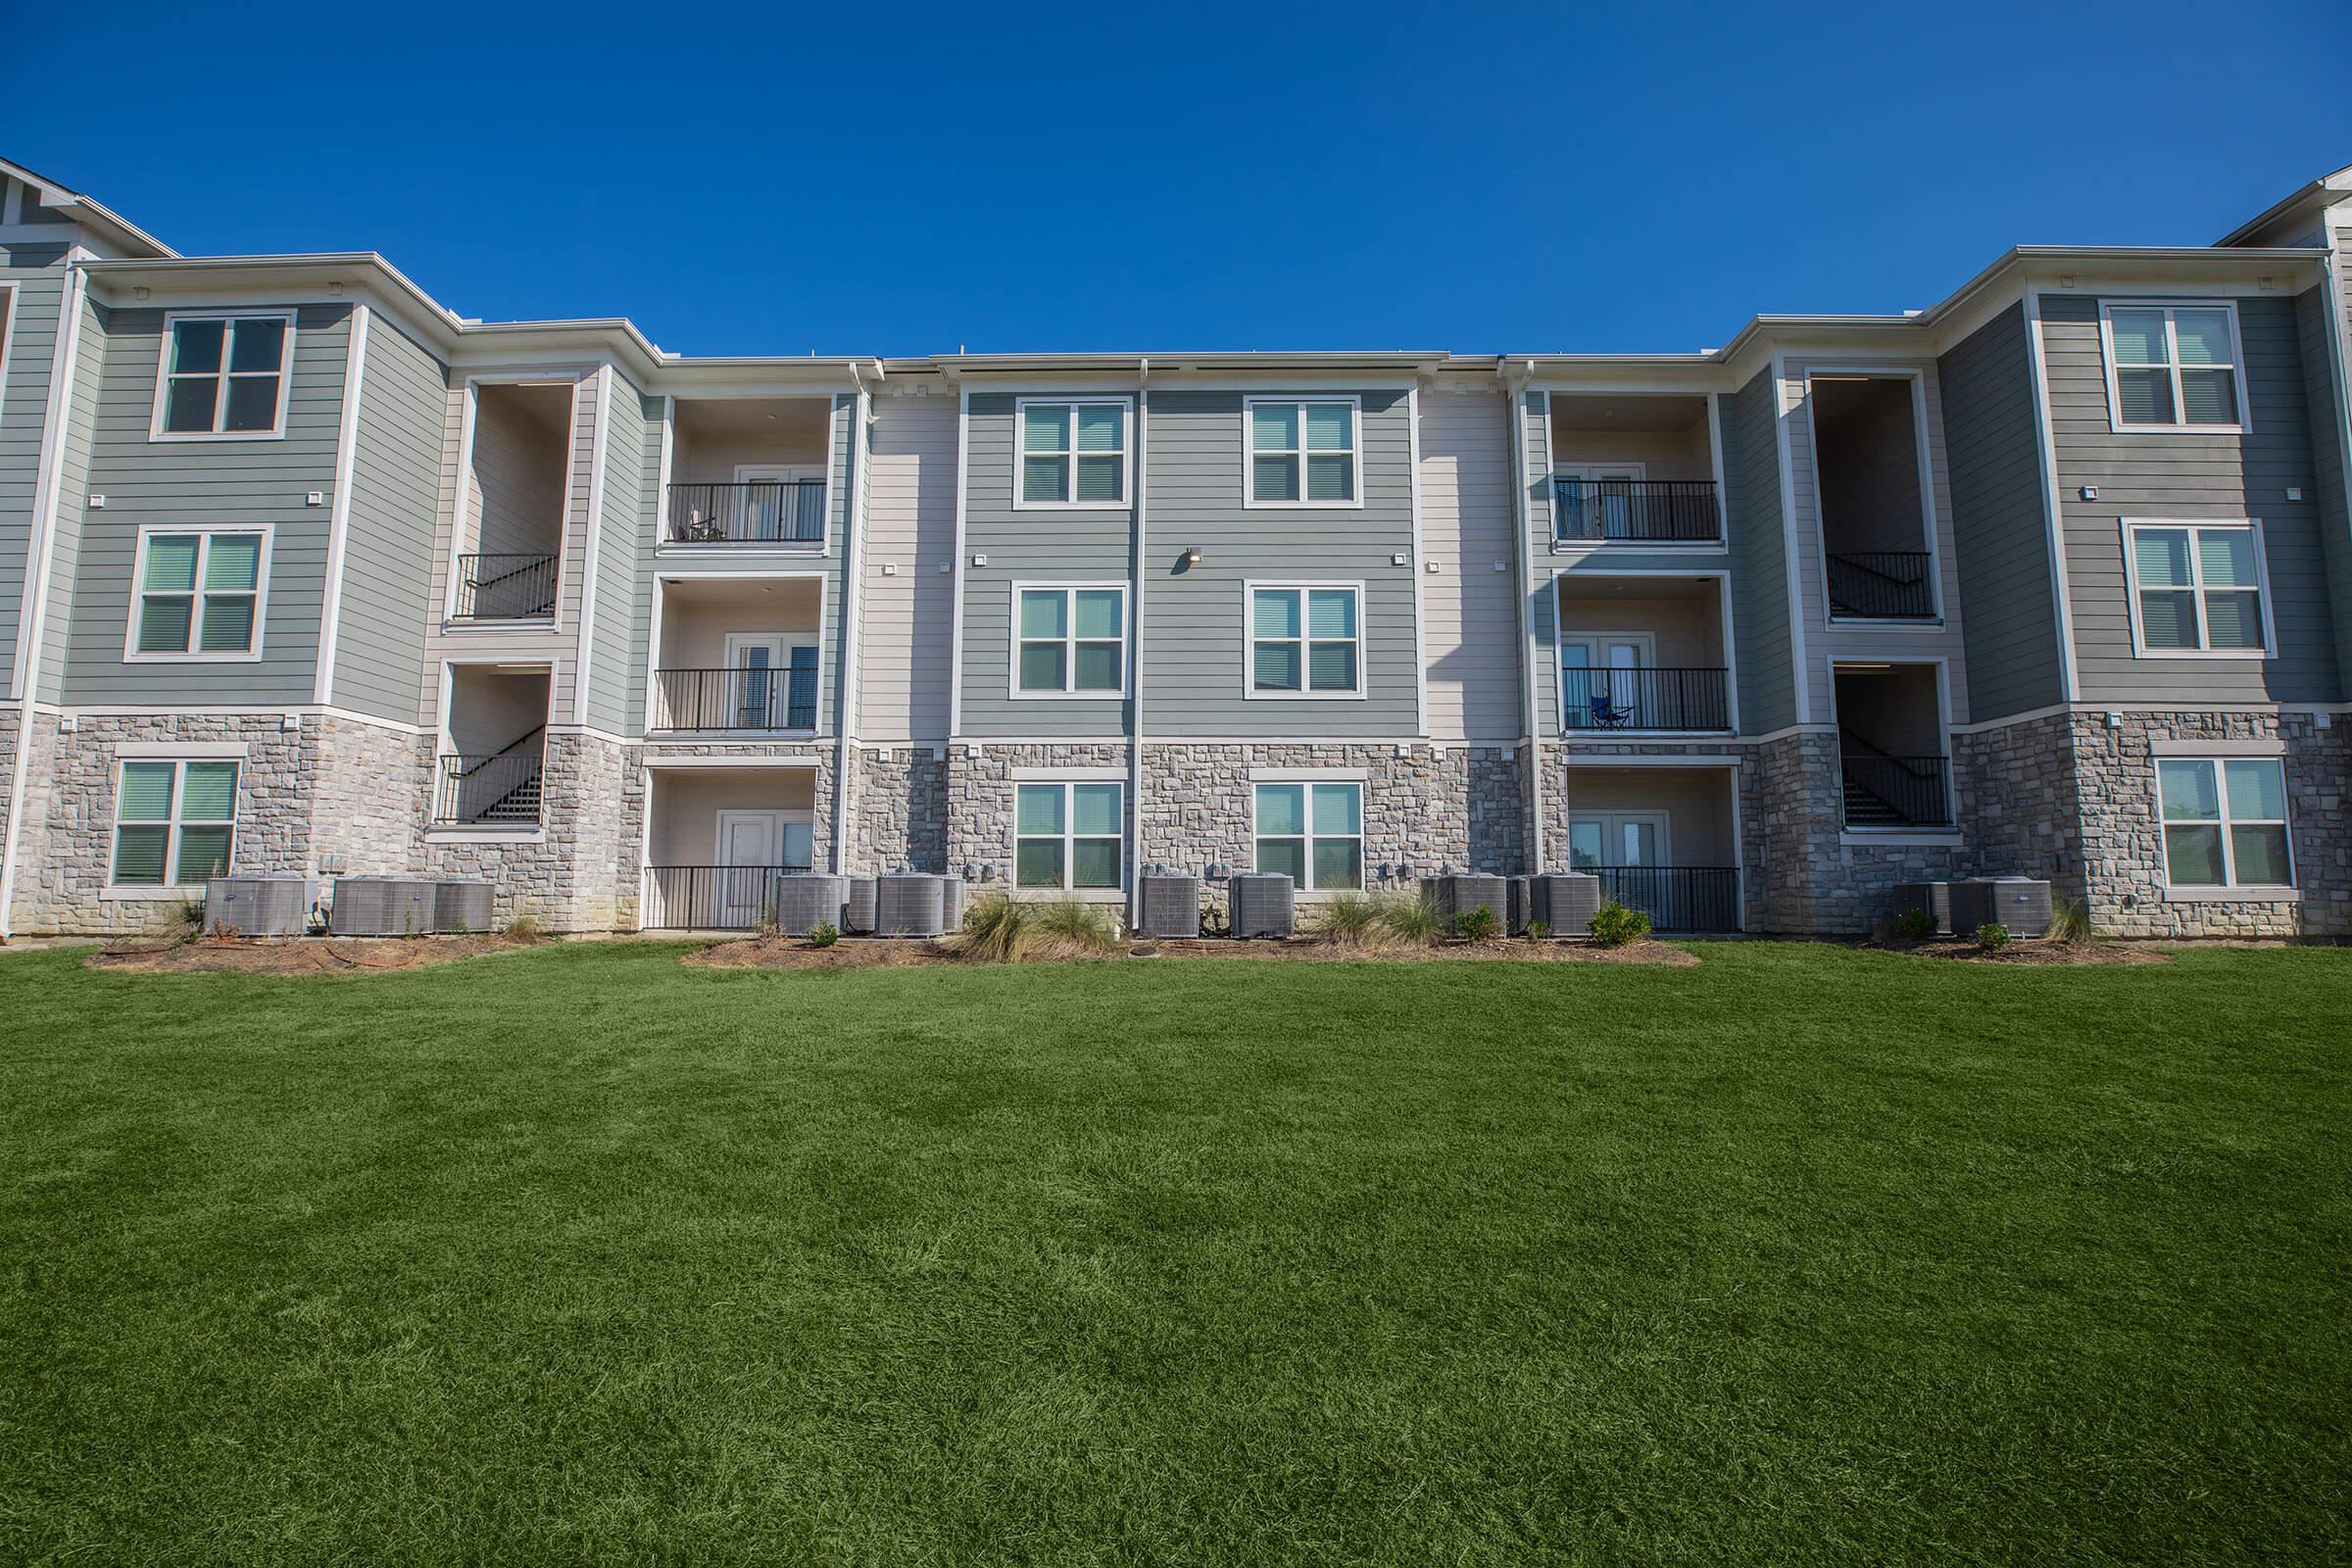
[(1756, 528)]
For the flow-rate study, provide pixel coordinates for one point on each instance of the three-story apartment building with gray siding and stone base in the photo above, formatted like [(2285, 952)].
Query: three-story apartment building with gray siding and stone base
[(302, 572)]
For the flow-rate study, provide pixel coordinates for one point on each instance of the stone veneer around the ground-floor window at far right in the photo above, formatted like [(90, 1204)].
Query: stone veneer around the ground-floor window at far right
[(2123, 838)]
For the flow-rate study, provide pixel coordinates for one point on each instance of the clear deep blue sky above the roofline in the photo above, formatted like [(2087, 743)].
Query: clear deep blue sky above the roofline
[(911, 180)]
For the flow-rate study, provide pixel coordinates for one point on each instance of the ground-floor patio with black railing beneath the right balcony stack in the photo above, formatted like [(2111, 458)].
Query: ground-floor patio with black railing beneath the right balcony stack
[(1662, 840)]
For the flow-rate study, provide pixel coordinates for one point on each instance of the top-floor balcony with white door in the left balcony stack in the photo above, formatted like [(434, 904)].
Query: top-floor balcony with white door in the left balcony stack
[(749, 474)]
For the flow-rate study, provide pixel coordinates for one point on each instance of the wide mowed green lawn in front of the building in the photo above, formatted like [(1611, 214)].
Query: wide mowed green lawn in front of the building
[(1803, 1257)]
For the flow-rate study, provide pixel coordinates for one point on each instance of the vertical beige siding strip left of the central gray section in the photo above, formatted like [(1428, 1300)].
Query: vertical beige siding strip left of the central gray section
[(909, 615)]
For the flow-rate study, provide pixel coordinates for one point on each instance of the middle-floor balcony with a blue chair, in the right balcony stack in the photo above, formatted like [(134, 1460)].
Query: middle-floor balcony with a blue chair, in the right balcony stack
[(1643, 655)]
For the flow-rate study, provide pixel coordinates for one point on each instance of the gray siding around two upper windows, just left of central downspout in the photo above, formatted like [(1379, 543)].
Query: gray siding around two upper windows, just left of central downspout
[(1041, 547)]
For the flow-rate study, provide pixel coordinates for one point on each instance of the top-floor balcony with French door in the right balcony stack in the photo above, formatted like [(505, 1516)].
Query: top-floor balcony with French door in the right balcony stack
[(1633, 471)]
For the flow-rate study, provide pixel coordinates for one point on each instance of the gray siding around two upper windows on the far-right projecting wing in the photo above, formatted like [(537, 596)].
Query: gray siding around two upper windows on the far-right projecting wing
[(2191, 476)]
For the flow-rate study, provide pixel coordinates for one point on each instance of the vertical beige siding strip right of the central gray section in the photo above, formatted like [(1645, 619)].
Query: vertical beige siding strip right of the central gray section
[(1469, 619)]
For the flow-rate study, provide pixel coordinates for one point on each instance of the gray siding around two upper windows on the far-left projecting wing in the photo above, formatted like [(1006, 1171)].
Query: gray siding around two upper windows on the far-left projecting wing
[(206, 485)]
